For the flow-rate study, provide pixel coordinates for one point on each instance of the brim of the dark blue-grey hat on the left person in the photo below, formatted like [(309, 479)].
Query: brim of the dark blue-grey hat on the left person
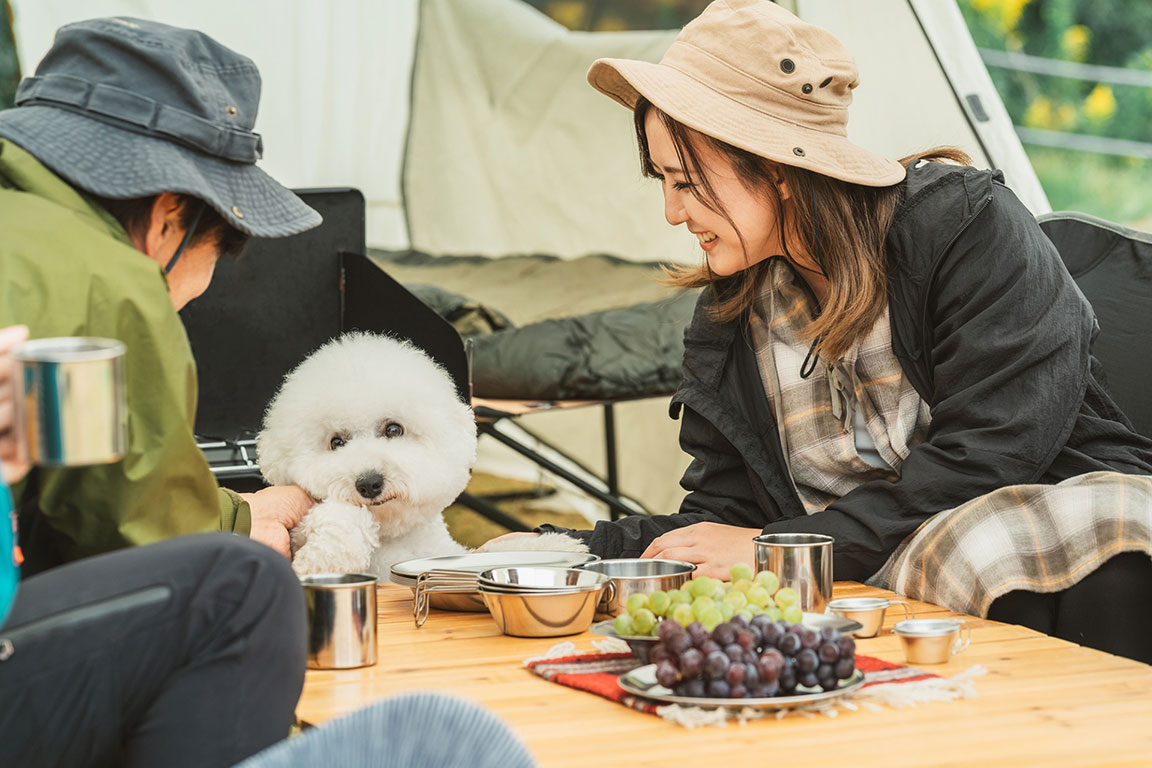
[(113, 163)]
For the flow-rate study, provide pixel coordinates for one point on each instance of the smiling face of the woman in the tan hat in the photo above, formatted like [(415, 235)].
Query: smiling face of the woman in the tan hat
[(753, 216)]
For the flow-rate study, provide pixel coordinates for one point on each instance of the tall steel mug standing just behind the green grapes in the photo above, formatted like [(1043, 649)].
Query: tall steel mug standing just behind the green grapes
[(801, 561)]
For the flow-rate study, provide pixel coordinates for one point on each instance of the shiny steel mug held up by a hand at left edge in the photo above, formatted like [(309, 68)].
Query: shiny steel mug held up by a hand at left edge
[(71, 401)]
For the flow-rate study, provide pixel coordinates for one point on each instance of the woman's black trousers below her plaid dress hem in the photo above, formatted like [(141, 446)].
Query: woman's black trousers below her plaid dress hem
[(1108, 610)]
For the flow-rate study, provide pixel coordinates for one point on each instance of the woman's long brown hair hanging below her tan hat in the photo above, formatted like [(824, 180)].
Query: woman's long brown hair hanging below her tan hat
[(853, 222)]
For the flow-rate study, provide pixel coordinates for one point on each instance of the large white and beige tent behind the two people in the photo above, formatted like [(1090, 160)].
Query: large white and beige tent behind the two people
[(471, 130)]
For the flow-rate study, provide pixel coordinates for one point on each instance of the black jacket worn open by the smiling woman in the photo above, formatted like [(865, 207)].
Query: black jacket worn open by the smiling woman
[(992, 333)]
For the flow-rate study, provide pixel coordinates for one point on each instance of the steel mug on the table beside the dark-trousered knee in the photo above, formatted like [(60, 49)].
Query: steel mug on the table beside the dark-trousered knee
[(342, 620)]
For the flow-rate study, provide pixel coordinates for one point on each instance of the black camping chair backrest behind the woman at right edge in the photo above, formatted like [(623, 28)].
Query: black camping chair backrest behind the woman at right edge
[(1113, 268)]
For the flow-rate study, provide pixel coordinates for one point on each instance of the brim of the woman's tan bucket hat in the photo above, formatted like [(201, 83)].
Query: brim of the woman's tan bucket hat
[(701, 108)]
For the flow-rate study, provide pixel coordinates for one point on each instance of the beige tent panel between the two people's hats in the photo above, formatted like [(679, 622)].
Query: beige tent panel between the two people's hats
[(511, 150)]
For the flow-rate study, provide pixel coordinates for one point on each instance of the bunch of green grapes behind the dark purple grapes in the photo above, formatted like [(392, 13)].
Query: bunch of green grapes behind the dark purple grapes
[(711, 603)]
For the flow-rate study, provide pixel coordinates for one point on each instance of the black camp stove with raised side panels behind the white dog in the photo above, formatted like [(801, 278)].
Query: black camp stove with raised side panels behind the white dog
[(283, 300)]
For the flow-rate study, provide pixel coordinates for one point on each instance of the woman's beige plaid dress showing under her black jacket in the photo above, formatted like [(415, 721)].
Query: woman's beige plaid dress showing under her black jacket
[(1041, 538)]
